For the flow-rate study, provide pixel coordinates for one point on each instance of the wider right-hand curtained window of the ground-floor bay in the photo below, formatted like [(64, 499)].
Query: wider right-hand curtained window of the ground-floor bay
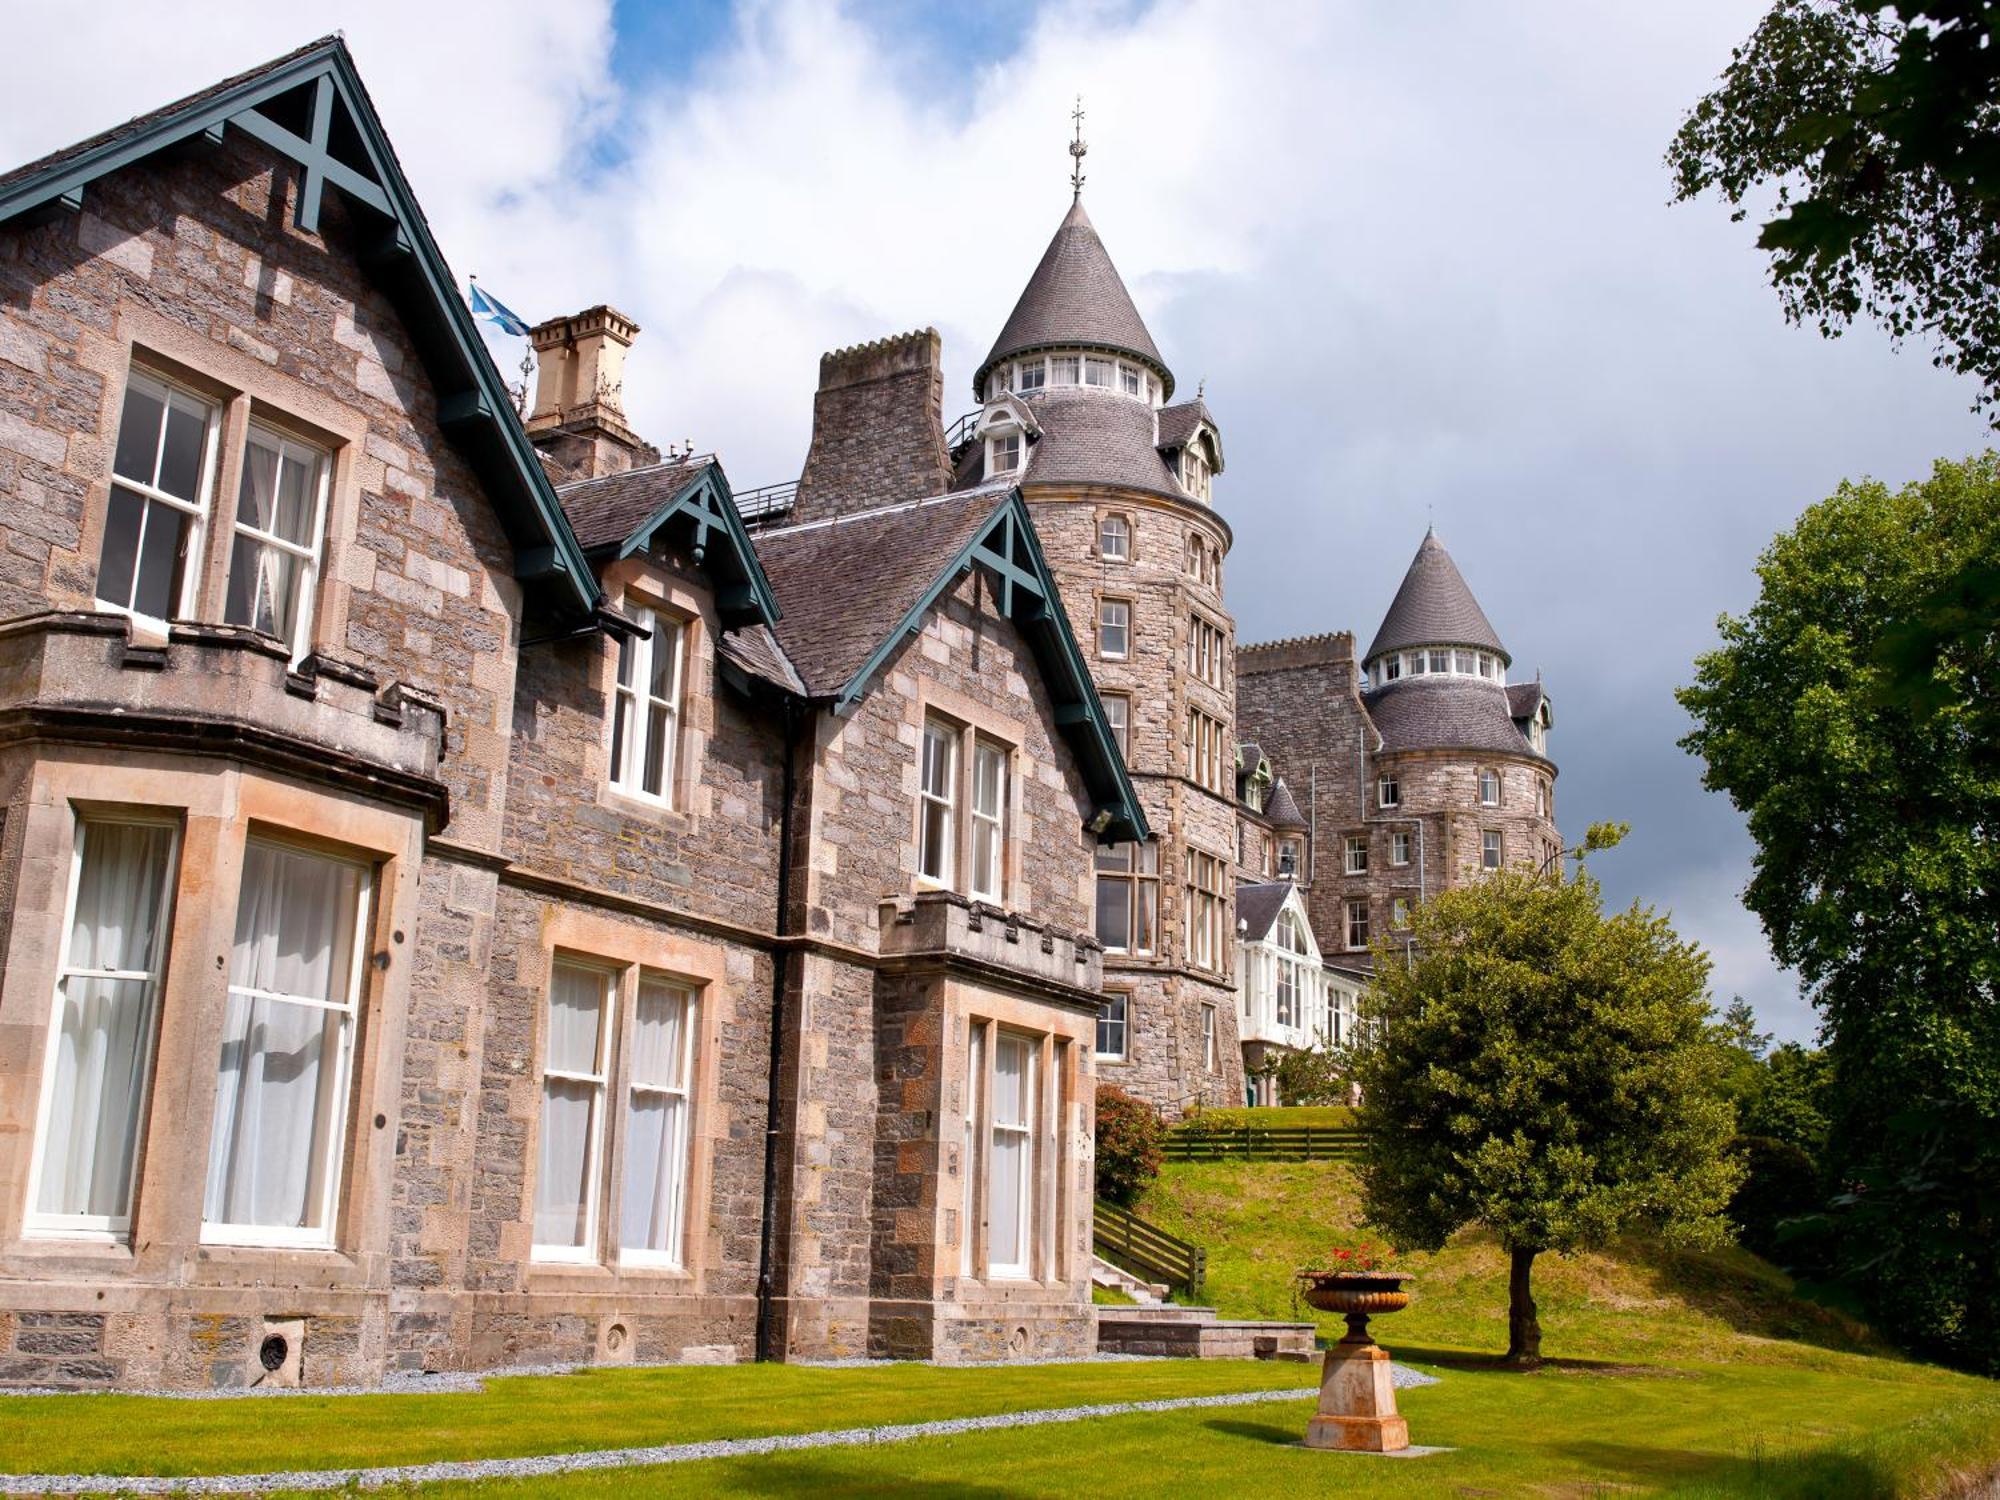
[(287, 1049)]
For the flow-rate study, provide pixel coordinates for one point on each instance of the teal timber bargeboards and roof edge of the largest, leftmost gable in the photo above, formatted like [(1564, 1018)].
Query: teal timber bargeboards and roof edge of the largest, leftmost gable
[(311, 107)]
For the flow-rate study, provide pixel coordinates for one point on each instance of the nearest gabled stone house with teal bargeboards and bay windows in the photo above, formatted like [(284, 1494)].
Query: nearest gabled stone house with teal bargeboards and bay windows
[(463, 897)]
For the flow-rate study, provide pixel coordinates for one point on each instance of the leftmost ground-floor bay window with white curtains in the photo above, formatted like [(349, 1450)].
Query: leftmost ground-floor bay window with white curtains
[(103, 1037)]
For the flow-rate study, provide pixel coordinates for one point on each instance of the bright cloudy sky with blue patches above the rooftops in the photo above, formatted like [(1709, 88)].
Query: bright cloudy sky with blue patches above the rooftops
[(1421, 257)]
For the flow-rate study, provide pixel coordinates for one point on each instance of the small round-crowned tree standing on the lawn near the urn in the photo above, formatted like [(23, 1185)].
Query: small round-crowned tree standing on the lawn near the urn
[(1545, 1071)]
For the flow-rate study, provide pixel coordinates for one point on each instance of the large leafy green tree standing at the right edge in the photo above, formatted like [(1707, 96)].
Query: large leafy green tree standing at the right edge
[(1873, 795)]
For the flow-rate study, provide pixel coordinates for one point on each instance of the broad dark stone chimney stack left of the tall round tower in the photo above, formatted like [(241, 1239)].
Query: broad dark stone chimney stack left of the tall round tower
[(877, 429)]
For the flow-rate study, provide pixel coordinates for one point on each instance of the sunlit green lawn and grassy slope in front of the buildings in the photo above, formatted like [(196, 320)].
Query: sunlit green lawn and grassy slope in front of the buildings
[(1675, 1375)]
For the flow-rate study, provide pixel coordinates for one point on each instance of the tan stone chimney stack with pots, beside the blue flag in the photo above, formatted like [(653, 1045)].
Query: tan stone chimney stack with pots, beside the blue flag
[(579, 397)]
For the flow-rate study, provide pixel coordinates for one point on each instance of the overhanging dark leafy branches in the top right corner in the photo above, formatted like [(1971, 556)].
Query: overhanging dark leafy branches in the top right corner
[(1875, 135)]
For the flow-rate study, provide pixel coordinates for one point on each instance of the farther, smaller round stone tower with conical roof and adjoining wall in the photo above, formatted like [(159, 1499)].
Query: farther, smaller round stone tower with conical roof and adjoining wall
[(1417, 769)]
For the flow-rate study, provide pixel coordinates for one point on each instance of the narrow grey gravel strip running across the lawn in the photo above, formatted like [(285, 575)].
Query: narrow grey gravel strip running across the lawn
[(675, 1453)]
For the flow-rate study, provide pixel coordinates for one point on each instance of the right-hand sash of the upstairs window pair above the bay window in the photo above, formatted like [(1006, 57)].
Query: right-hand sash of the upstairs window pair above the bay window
[(281, 515)]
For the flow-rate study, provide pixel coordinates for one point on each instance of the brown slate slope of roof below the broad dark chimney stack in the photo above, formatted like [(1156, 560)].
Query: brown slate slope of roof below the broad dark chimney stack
[(847, 583)]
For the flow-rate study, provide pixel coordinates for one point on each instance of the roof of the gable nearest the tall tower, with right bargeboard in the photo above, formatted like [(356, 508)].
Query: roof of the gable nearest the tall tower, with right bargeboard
[(855, 589)]
